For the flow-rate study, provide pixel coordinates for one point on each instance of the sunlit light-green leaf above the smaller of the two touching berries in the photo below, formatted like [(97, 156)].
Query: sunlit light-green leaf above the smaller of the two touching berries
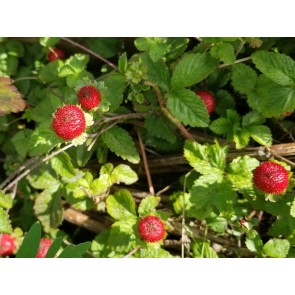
[(74, 65)]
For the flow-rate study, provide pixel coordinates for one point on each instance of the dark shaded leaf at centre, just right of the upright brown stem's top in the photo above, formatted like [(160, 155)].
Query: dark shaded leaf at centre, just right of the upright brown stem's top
[(158, 126)]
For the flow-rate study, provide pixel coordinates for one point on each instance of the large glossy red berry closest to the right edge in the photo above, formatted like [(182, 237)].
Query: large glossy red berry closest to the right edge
[(271, 178)]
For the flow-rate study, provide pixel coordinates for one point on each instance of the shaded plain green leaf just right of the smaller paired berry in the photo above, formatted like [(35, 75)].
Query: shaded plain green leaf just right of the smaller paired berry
[(115, 85)]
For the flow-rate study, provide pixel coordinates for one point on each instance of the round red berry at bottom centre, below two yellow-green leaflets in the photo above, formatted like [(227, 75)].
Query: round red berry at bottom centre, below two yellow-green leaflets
[(151, 229)]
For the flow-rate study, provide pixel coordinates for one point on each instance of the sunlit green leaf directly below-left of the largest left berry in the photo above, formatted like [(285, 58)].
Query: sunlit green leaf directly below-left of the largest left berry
[(43, 139)]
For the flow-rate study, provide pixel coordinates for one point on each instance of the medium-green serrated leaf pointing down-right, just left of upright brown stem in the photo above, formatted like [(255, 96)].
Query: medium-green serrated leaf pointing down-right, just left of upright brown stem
[(121, 143)]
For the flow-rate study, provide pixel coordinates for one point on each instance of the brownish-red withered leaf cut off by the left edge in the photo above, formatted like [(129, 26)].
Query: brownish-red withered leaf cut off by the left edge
[(11, 101)]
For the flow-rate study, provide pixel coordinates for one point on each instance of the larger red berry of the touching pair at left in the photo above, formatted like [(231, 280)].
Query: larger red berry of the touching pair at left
[(69, 122)]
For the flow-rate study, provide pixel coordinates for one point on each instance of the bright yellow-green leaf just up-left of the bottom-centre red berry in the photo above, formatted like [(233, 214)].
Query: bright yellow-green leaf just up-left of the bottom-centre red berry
[(121, 205)]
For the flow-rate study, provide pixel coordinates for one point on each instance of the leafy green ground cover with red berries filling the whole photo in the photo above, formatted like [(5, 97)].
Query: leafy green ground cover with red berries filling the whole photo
[(147, 147)]
